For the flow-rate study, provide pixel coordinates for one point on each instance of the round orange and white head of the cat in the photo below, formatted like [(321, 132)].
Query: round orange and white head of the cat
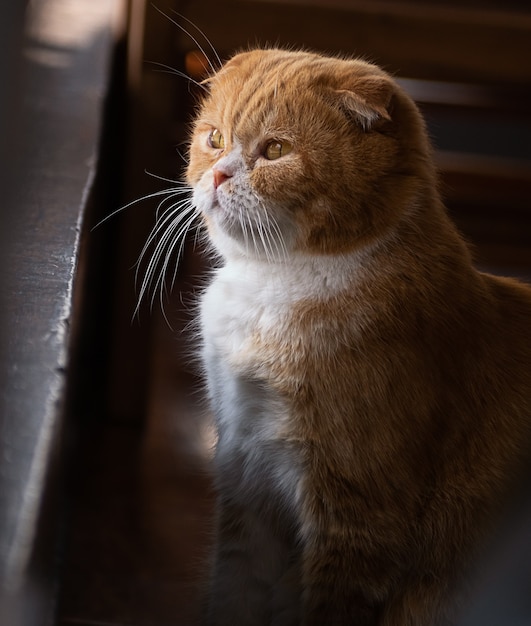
[(294, 152)]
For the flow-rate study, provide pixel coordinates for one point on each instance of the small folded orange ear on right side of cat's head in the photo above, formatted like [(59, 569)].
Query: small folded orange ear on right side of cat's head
[(367, 100)]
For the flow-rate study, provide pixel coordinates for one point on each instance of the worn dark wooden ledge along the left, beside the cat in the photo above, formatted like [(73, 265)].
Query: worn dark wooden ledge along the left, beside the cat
[(53, 95)]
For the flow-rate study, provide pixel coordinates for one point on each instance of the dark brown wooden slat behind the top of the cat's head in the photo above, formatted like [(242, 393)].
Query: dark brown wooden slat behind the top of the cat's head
[(421, 40)]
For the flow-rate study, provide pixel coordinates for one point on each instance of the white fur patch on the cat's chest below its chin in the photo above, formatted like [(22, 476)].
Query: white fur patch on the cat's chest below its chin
[(249, 298)]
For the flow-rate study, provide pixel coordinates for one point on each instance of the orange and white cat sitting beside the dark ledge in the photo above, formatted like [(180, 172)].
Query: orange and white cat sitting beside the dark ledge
[(371, 388)]
